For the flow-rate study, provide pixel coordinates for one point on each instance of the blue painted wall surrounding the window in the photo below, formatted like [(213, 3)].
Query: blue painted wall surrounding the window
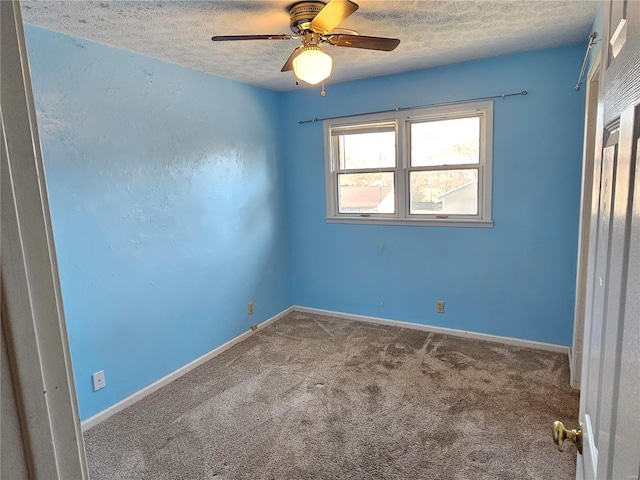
[(516, 279)]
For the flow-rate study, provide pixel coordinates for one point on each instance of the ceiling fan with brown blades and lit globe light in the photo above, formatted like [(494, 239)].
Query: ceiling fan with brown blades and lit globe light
[(314, 22)]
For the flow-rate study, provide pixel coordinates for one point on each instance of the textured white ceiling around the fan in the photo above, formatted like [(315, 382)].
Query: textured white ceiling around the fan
[(431, 32)]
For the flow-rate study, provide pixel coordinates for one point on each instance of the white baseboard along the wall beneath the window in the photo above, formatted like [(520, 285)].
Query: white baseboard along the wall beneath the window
[(446, 331)]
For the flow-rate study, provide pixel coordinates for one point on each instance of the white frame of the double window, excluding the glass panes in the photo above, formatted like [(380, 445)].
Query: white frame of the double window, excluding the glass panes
[(402, 121)]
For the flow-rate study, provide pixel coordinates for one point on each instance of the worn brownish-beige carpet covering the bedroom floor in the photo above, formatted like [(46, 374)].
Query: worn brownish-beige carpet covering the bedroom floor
[(313, 397)]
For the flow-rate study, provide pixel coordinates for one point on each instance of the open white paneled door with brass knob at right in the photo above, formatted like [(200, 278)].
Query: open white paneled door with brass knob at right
[(610, 397)]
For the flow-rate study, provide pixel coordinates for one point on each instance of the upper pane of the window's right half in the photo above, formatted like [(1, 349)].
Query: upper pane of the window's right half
[(445, 142)]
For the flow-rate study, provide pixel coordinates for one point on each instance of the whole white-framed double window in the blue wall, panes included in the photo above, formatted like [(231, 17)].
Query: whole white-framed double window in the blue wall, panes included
[(429, 166)]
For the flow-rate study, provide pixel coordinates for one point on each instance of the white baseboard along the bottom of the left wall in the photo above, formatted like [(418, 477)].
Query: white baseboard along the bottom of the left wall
[(149, 389)]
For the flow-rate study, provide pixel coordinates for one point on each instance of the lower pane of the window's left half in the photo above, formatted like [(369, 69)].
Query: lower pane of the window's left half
[(366, 193)]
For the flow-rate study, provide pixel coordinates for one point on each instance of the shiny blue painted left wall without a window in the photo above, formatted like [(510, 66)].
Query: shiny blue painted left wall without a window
[(167, 201)]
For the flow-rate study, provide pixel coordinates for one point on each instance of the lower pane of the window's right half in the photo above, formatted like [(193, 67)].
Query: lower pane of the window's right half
[(444, 192)]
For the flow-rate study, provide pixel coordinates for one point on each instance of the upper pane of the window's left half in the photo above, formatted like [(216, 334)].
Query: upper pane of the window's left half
[(367, 150)]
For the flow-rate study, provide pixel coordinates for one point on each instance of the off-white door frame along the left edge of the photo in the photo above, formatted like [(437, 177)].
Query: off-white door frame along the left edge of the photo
[(33, 321)]
